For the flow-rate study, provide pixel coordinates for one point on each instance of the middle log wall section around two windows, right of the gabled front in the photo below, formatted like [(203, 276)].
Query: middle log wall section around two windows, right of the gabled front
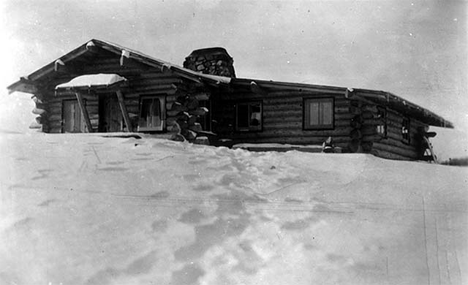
[(282, 119)]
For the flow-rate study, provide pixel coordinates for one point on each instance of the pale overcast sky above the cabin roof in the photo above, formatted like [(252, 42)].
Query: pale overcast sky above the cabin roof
[(414, 49)]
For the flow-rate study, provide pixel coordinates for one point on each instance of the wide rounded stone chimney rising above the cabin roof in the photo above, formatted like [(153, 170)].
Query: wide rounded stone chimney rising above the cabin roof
[(215, 61)]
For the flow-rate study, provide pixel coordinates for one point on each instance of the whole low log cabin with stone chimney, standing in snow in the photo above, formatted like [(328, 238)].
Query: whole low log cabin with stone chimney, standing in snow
[(204, 101)]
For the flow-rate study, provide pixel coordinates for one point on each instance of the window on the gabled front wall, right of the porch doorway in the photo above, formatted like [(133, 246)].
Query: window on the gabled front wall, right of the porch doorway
[(152, 114)]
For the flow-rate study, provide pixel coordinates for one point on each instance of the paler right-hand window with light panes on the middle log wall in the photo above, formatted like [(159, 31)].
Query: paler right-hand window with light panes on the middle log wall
[(318, 113)]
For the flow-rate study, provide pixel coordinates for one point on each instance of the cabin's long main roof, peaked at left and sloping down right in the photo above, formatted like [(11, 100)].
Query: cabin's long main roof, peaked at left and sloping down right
[(97, 56)]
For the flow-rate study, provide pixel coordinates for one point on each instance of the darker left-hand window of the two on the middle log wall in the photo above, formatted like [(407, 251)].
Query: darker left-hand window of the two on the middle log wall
[(249, 116)]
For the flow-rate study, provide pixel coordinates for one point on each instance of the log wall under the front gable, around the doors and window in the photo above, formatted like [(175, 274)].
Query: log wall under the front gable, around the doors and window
[(181, 108)]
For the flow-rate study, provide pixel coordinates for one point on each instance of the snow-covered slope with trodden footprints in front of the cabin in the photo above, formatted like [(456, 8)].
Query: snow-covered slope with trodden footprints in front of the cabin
[(85, 209)]
